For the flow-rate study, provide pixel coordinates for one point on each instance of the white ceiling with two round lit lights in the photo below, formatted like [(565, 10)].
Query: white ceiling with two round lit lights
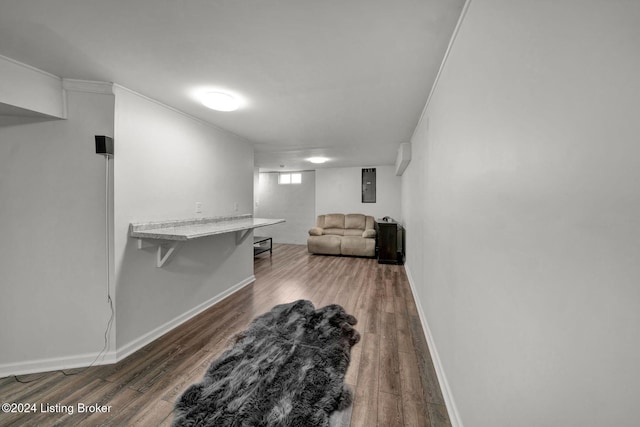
[(343, 79)]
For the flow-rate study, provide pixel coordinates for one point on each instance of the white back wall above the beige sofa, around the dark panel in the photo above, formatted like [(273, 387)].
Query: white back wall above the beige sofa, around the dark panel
[(339, 190)]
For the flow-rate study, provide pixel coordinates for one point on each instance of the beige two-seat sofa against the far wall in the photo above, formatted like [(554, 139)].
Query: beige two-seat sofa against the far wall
[(340, 234)]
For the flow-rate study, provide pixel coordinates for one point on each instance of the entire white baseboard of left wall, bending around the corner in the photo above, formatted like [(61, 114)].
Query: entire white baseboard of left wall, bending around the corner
[(84, 360)]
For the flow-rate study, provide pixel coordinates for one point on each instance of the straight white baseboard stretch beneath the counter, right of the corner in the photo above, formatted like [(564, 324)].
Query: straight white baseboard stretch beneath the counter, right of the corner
[(153, 335)]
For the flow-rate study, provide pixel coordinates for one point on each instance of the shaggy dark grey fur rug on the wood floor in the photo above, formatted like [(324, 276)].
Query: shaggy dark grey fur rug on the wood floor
[(286, 369)]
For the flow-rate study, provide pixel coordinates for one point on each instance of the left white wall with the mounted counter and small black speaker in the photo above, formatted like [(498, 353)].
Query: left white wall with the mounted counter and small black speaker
[(53, 253)]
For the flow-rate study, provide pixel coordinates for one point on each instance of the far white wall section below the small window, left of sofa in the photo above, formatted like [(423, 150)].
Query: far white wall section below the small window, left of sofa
[(293, 202)]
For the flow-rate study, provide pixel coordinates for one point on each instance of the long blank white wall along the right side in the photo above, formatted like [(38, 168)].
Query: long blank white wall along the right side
[(522, 211)]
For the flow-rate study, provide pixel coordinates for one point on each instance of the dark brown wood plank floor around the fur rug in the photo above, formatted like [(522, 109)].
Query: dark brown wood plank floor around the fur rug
[(391, 371)]
